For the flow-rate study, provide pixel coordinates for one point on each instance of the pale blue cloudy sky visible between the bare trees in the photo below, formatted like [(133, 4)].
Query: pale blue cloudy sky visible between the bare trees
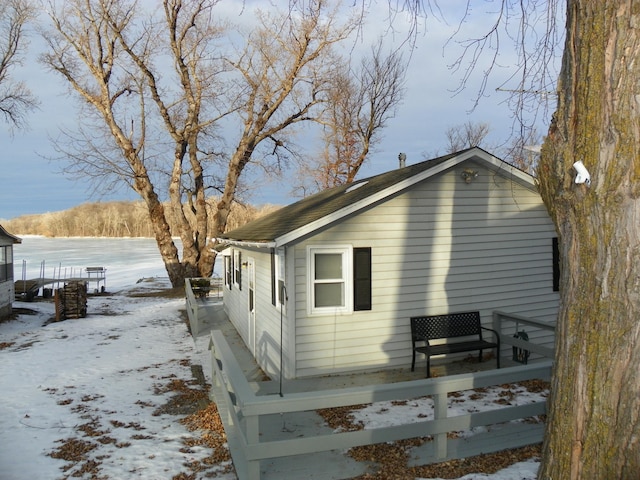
[(31, 182)]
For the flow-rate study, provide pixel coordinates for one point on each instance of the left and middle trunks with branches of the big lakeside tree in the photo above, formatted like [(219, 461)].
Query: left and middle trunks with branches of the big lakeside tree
[(97, 47)]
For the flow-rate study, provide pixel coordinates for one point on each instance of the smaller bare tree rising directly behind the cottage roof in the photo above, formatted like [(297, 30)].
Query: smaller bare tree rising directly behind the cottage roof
[(358, 109)]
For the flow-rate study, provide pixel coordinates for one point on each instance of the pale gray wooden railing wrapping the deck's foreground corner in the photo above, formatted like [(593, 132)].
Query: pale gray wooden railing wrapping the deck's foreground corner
[(241, 410)]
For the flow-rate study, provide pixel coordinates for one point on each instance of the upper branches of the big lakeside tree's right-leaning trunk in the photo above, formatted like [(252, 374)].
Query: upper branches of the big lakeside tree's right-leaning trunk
[(290, 72)]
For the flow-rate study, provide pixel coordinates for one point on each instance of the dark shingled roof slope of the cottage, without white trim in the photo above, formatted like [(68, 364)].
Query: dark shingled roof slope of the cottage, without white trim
[(315, 207)]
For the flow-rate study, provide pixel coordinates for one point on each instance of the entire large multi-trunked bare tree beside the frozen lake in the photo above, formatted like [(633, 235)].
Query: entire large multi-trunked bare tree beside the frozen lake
[(115, 56)]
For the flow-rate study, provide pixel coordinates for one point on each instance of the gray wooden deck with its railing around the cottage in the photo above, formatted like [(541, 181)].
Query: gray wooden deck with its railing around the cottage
[(275, 433)]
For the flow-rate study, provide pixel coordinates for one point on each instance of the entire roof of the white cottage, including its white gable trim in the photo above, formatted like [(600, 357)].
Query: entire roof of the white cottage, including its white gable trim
[(309, 214)]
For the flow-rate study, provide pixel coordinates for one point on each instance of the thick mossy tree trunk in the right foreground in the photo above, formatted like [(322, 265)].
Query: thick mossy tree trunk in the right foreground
[(593, 430)]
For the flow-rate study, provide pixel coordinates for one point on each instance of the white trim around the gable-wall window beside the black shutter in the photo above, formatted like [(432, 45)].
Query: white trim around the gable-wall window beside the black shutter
[(347, 271)]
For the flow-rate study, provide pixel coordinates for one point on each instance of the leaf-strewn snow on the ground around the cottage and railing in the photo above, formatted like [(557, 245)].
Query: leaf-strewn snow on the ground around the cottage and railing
[(101, 380)]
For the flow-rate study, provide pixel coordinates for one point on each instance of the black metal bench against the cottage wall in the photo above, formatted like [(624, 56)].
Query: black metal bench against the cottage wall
[(445, 327)]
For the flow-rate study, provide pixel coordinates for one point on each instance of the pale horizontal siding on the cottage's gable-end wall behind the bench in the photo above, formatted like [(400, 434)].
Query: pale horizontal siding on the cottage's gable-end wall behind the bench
[(442, 246)]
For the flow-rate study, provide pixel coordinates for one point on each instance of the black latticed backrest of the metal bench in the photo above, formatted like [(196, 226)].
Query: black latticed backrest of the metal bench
[(459, 324)]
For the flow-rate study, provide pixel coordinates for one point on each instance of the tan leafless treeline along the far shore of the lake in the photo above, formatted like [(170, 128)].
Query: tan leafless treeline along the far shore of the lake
[(109, 219)]
